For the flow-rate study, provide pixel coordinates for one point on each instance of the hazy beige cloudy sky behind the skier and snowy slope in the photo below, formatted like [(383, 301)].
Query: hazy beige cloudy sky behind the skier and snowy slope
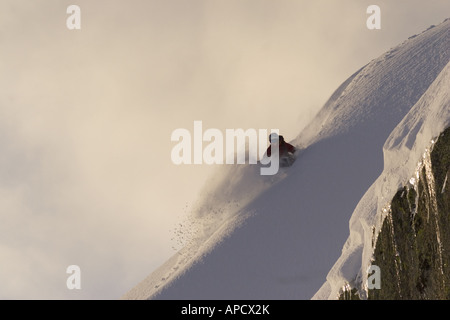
[(86, 117)]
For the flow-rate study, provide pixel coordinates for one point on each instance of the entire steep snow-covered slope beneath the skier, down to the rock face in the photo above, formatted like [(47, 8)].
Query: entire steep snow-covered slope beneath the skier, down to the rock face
[(263, 237)]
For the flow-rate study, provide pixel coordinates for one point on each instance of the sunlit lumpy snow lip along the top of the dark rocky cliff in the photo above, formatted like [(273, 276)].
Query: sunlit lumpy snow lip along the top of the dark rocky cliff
[(406, 147)]
